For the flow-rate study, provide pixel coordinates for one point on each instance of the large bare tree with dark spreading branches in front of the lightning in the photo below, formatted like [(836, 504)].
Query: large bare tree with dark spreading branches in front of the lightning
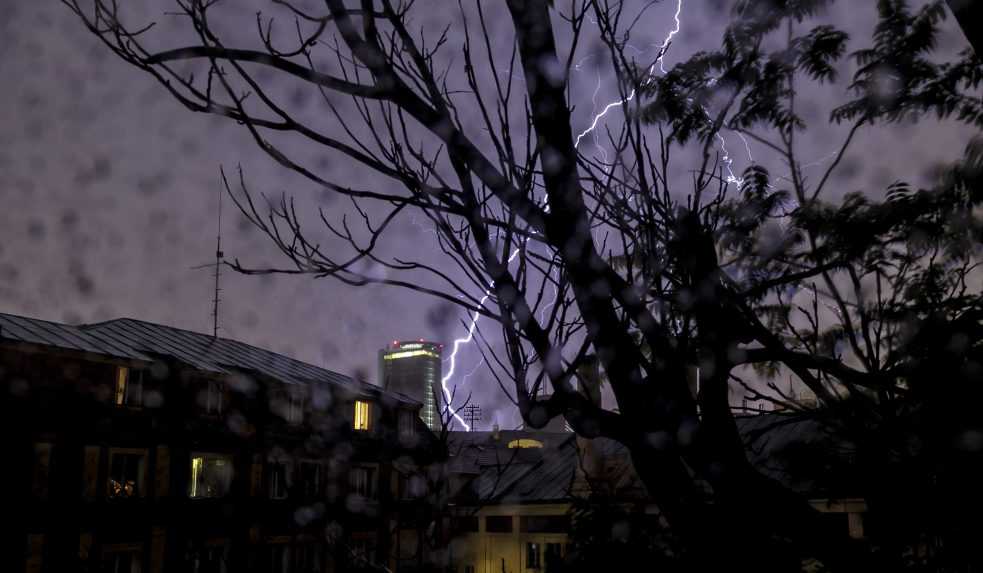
[(574, 256)]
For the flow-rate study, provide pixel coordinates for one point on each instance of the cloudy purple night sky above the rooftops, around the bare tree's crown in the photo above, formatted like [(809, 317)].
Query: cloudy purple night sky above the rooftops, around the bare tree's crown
[(109, 191)]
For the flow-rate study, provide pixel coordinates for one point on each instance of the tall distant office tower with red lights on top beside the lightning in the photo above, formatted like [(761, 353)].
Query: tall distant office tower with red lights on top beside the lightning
[(413, 368)]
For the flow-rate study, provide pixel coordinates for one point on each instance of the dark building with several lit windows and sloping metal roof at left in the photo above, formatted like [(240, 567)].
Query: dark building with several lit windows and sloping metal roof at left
[(139, 448)]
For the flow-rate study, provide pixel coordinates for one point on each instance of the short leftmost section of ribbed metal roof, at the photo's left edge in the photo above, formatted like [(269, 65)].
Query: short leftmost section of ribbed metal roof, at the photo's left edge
[(63, 336)]
